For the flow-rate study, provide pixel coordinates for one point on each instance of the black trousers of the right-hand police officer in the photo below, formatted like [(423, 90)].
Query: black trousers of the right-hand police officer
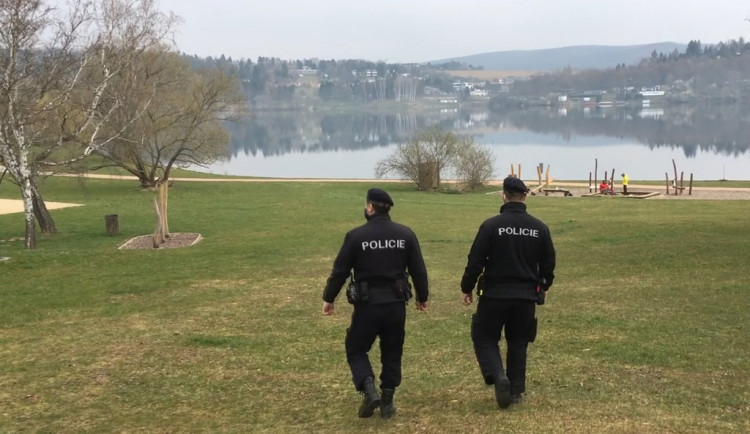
[(487, 324)]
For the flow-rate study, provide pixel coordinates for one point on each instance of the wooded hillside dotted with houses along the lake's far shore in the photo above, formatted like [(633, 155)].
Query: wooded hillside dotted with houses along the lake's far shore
[(717, 73)]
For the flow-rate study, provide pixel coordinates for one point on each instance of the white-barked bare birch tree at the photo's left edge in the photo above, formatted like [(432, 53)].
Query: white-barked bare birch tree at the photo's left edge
[(56, 71)]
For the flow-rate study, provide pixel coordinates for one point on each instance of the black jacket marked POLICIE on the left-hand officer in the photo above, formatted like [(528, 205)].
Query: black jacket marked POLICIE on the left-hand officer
[(380, 251)]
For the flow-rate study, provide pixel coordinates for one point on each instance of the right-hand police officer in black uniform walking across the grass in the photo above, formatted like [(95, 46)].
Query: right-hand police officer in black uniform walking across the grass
[(513, 252)]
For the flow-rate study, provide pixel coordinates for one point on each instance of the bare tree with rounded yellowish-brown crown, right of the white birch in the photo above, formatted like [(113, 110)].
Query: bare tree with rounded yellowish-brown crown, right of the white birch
[(182, 124)]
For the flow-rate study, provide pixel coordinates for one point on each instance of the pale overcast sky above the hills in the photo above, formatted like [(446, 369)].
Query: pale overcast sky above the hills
[(402, 31)]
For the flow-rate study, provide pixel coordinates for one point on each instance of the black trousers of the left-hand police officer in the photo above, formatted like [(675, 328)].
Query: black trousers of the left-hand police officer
[(370, 321)]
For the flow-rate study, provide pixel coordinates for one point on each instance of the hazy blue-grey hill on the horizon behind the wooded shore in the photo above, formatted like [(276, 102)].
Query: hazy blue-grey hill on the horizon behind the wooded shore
[(577, 57)]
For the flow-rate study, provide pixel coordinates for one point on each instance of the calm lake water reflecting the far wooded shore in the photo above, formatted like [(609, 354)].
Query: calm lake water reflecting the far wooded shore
[(642, 143)]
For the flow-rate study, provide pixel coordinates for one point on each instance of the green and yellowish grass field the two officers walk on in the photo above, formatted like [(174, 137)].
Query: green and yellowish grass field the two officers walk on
[(645, 330)]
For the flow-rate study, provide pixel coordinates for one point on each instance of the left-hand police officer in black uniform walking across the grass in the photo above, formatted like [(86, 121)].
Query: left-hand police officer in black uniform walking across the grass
[(380, 252)]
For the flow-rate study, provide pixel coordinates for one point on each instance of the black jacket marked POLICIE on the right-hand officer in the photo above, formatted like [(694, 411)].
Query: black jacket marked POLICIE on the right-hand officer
[(514, 250)]
